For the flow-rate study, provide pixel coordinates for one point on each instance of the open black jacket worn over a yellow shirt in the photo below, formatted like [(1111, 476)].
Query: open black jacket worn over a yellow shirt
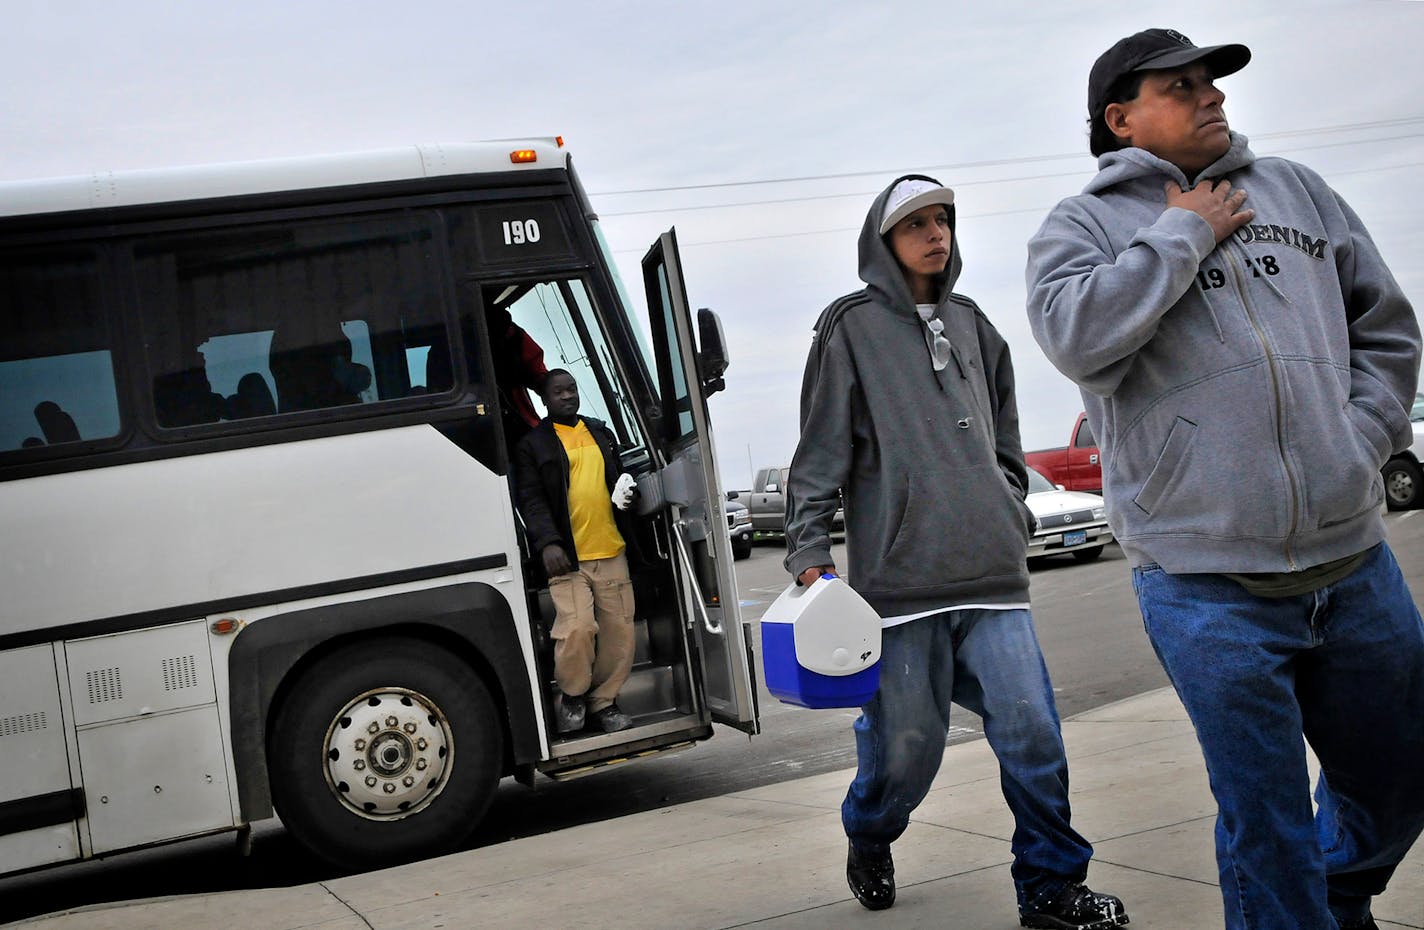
[(542, 485)]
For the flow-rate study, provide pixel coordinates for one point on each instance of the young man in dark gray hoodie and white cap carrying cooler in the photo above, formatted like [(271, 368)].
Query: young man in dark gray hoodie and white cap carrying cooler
[(908, 415)]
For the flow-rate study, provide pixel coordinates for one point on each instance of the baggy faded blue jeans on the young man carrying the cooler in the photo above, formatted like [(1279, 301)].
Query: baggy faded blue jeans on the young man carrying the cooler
[(990, 663)]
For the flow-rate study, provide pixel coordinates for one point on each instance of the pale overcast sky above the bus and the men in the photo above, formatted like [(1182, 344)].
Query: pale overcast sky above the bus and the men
[(760, 130)]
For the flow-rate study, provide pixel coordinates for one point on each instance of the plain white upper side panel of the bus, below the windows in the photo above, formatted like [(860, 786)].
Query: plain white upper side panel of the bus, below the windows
[(241, 523)]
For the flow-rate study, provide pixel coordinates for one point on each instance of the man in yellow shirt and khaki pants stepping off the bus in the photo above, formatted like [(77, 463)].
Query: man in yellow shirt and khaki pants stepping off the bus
[(566, 471)]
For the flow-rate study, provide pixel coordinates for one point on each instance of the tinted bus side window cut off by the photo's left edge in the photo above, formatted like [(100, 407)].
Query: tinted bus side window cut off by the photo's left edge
[(56, 355)]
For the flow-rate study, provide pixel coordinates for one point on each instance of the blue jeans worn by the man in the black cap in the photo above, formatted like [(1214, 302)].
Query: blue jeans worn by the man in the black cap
[(1342, 667)]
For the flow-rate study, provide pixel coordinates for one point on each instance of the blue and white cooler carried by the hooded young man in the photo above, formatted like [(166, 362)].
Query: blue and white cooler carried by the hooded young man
[(821, 646)]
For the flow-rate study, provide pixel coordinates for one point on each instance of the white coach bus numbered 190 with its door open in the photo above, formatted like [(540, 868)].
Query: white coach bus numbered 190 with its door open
[(258, 549)]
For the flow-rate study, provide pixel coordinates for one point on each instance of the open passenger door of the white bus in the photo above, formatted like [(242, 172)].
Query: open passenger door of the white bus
[(690, 484)]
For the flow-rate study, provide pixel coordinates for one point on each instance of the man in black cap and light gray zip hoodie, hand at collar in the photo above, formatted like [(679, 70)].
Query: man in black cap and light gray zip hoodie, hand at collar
[(1248, 364)]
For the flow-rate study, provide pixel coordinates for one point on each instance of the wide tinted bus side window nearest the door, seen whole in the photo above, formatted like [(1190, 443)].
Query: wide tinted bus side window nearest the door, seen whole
[(280, 320)]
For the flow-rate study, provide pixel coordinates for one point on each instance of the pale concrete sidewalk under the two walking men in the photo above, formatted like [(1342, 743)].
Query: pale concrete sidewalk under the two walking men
[(775, 858)]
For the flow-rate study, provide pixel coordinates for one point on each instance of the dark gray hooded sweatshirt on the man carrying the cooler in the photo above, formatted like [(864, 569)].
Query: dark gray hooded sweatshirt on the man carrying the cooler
[(929, 464)]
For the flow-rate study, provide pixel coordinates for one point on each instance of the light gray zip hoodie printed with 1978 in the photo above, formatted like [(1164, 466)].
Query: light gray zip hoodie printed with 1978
[(1245, 395)]
